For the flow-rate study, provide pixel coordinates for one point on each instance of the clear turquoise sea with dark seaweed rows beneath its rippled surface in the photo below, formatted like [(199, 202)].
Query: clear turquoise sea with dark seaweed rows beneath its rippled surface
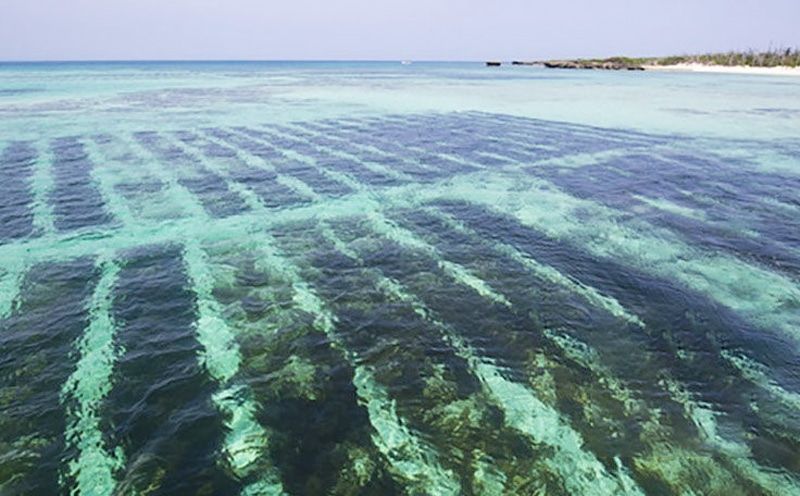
[(375, 278)]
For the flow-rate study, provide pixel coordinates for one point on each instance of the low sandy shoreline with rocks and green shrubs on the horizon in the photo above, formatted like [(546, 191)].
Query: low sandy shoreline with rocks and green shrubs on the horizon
[(786, 60)]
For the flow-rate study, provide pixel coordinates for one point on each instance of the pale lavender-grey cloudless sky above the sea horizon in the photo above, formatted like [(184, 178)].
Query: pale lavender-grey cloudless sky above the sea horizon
[(388, 30)]
